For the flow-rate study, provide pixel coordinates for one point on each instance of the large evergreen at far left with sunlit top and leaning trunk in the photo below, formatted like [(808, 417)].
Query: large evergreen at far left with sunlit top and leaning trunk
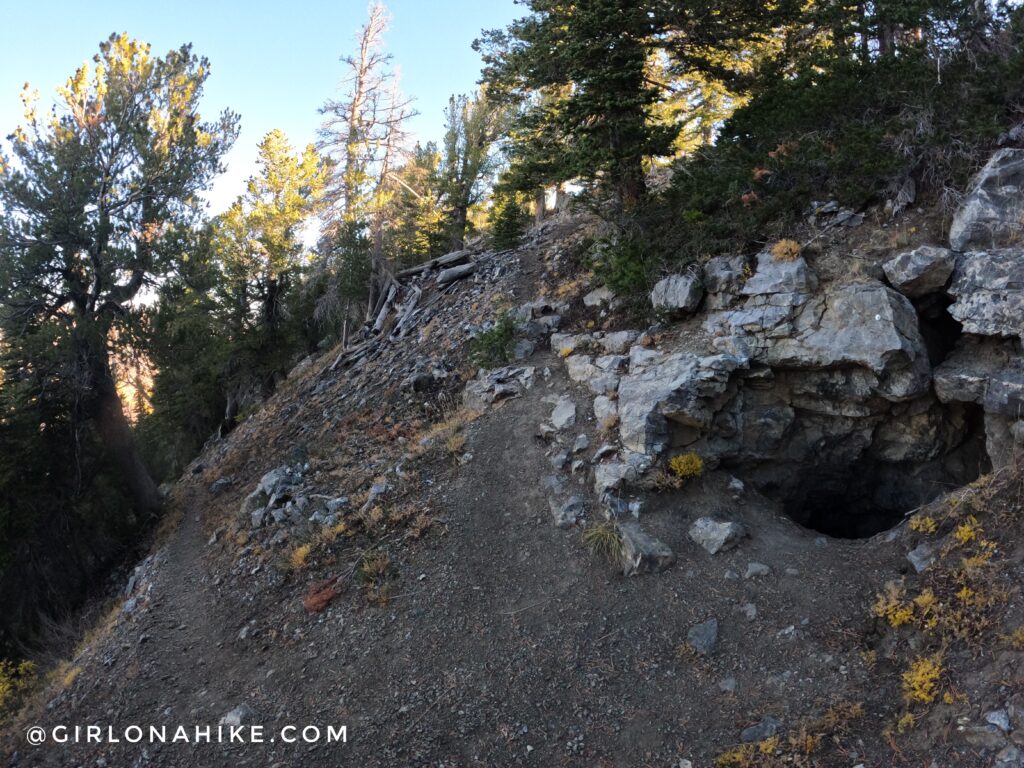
[(93, 210)]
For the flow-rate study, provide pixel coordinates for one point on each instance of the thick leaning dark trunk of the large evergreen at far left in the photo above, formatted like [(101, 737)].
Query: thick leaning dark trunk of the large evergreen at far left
[(119, 443)]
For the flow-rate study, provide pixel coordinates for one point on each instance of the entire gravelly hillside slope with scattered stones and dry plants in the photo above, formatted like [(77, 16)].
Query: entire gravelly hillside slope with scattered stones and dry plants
[(402, 576)]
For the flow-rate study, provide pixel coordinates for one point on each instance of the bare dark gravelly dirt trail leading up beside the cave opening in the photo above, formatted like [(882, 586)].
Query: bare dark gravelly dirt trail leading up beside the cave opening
[(505, 645)]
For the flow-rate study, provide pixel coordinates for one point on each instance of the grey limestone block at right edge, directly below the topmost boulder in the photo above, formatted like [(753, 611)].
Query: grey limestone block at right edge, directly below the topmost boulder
[(989, 287)]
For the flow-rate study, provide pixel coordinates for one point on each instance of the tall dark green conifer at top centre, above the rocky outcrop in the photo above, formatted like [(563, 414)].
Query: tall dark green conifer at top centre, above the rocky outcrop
[(588, 60)]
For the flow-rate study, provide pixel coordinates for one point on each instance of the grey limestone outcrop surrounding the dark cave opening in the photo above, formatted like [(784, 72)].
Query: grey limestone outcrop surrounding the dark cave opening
[(823, 394)]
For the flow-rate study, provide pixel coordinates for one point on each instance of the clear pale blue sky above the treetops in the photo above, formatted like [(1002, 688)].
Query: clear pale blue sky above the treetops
[(274, 63)]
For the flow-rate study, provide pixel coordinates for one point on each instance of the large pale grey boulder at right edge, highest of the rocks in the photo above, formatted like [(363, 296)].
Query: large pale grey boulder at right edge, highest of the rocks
[(993, 214)]
